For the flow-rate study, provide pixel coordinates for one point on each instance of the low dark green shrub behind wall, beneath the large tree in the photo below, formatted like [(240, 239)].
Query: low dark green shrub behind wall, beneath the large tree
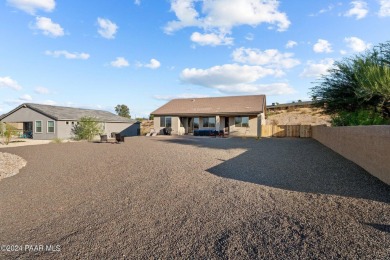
[(358, 117)]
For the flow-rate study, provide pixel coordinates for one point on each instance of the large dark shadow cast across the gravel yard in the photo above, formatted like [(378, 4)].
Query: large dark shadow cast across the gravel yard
[(294, 164)]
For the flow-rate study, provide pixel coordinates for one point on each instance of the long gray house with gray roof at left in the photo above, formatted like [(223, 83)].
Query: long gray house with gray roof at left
[(44, 122)]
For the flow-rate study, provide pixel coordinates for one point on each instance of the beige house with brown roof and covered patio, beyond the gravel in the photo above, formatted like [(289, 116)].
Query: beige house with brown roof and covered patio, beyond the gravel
[(235, 115)]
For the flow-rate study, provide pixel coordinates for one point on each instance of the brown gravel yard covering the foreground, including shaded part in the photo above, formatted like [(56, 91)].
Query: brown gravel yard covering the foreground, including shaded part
[(192, 198)]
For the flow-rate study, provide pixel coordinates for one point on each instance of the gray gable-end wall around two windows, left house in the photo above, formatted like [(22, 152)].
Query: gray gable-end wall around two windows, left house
[(25, 114)]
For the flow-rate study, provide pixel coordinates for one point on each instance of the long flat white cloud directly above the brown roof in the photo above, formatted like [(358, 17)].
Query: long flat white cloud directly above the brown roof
[(234, 78)]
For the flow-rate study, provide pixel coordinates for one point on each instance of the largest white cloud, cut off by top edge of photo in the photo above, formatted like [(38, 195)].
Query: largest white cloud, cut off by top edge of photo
[(222, 15)]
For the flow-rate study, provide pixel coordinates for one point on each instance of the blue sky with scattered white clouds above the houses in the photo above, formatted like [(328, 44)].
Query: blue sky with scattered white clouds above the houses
[(142, 53)]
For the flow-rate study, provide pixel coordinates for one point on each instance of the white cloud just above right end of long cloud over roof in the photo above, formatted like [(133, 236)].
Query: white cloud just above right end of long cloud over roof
[(271, 58)]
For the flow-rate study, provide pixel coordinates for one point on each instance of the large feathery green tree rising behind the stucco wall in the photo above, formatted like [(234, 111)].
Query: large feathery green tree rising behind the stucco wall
[(360, 82)]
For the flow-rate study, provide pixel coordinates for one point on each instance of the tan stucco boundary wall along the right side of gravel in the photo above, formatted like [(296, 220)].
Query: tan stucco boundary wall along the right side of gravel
[(367, 146)]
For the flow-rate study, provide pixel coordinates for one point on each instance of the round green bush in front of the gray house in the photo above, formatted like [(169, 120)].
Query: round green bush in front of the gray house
[(87, 128)]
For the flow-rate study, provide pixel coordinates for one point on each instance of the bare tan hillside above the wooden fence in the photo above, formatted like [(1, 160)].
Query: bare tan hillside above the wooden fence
[(297, 116)]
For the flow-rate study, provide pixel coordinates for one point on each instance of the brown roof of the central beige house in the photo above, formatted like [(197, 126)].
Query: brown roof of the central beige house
[(233, 105)]
